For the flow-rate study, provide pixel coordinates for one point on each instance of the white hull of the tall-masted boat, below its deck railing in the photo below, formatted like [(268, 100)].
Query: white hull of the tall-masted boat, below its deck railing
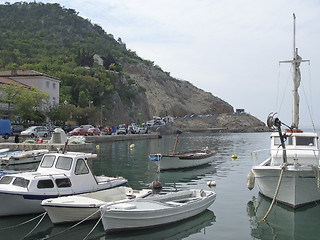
[(298, 186)]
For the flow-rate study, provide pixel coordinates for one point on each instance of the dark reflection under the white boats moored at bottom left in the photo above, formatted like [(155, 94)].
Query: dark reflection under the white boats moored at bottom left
[(46, 229)]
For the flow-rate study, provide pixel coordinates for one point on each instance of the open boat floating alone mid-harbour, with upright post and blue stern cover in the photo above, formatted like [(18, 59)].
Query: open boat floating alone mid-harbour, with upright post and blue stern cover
[(188, 159)]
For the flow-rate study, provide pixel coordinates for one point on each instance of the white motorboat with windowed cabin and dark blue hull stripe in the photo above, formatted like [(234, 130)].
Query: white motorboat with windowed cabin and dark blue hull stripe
[(58, 174)]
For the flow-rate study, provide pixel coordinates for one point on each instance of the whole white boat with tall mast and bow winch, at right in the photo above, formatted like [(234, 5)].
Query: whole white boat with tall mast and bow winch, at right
[(290, 174)]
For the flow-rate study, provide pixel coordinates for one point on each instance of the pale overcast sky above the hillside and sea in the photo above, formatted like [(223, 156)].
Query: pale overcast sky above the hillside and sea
[(230, 48)]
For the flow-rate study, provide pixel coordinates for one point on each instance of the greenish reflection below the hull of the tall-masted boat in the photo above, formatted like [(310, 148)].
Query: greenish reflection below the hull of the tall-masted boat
[(283, 222)]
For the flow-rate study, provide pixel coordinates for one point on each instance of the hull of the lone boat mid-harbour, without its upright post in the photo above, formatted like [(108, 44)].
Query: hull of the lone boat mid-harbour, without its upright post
[(185, 160)]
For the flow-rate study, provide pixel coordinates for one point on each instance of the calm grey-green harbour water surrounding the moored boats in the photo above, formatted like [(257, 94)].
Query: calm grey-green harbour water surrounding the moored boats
[(236, 213)]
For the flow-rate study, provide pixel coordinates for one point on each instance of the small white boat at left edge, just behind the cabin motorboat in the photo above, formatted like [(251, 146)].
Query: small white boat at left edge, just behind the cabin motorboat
[(22, 157)]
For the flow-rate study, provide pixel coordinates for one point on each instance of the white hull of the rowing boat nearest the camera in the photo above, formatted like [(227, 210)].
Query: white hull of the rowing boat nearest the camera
[(152, 214)]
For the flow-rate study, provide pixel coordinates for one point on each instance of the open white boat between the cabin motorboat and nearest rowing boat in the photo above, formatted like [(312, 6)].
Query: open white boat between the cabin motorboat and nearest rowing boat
[(86, 206)]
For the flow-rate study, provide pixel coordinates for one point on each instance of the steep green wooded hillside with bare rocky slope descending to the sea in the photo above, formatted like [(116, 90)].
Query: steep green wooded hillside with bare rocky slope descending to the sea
[(124, 89)]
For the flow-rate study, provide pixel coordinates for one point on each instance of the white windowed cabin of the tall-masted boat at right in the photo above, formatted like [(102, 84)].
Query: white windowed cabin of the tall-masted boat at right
[(299, 145)]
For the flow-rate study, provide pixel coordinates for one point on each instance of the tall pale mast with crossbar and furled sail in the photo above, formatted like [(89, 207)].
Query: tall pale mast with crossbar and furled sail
[(296, 77)]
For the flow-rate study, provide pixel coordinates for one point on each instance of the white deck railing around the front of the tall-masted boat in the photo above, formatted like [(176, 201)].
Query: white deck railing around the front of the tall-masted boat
[(294, 155)]
